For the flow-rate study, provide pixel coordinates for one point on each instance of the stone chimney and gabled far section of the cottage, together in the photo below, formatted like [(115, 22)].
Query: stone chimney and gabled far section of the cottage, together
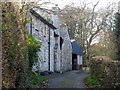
[(64, 55)]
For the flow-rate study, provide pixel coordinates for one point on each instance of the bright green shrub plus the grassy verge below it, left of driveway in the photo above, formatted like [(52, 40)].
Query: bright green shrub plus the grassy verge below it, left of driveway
[(35, 80)]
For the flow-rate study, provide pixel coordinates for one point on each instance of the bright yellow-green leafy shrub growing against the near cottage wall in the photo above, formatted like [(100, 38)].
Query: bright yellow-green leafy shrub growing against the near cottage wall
[(33, 48)]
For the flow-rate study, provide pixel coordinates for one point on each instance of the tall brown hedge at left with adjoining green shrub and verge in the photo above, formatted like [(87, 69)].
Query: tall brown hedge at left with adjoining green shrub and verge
[(18, 50)]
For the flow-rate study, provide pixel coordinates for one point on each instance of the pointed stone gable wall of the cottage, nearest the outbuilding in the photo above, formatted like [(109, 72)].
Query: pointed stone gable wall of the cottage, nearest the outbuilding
[(66, 51)]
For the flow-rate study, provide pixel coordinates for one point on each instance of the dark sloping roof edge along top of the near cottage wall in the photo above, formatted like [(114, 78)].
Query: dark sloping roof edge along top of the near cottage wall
[(33, 12)]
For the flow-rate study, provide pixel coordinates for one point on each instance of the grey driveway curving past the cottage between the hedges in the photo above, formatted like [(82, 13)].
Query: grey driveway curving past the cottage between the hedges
[(72, 79)]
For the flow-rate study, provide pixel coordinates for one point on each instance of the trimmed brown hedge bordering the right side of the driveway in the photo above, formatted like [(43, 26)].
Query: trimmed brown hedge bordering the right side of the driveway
[(106, 71)]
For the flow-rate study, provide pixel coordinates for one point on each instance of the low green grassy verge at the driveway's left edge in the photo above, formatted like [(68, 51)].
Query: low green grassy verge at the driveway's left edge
[(36, 81)]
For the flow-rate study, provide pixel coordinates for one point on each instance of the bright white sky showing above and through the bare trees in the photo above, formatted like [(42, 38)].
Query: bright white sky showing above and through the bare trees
[(102, 4)]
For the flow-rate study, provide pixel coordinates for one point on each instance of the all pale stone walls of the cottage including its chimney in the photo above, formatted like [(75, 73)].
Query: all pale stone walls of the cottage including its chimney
[(59, 59)]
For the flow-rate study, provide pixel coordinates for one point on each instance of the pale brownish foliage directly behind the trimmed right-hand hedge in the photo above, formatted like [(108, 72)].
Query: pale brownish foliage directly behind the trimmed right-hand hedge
[(105, 47)]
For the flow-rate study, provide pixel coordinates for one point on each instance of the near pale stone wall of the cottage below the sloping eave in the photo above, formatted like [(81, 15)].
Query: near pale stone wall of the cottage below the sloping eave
[(41, 32)]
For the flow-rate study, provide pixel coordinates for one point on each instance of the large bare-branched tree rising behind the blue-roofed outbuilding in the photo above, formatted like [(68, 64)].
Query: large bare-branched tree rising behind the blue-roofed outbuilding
[(84, 24)]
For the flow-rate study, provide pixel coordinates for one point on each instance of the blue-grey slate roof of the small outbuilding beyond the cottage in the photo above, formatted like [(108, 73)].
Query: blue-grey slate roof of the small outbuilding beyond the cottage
[(76, 48)]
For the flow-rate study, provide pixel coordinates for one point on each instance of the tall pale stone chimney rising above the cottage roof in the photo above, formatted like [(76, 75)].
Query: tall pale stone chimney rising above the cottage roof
[(56, 18)]
